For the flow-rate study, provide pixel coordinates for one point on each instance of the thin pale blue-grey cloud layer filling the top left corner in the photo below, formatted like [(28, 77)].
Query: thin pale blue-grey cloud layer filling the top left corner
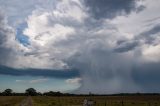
[(18, 10)]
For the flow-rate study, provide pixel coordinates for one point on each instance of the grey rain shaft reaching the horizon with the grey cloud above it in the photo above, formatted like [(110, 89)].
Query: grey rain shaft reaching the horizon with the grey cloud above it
[(104, 69)]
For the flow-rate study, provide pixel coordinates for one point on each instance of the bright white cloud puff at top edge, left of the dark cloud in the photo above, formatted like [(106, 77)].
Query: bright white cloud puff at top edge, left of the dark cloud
[(72, 9)]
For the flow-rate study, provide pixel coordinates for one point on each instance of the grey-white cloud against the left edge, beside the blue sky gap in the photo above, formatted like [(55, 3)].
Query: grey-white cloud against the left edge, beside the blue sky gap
[(8, 45)]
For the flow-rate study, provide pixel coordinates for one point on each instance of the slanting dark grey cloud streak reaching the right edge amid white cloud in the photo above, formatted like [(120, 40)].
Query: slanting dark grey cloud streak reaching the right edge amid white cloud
[(148, 36)]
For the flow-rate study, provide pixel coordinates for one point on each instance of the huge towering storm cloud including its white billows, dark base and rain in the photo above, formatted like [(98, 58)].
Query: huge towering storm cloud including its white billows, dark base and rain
[(110, 55)]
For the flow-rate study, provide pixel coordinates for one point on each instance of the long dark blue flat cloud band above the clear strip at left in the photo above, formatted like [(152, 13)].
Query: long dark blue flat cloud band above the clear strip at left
[(66, 73)]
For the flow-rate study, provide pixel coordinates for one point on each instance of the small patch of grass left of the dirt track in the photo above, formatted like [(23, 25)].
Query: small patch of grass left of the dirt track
[(10, 100)]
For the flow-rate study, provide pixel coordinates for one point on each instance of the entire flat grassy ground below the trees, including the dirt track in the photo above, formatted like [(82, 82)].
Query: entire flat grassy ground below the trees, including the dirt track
[(78, 101)]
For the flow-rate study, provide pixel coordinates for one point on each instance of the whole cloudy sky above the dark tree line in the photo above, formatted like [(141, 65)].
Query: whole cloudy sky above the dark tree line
[(80, 46)]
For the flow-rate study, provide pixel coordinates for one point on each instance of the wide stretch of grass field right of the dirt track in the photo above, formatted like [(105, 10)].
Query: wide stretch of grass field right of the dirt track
[(99, 101)]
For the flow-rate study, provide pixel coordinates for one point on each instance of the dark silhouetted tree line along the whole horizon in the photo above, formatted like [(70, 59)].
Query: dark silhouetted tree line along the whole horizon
[(33, 92)]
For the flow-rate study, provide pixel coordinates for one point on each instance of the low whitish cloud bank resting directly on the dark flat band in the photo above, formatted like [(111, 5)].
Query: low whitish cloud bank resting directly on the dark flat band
[(41, 62)]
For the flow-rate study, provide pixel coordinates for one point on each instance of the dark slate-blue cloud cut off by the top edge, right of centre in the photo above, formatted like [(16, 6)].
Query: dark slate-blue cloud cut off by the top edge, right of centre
[(111, 8)]
